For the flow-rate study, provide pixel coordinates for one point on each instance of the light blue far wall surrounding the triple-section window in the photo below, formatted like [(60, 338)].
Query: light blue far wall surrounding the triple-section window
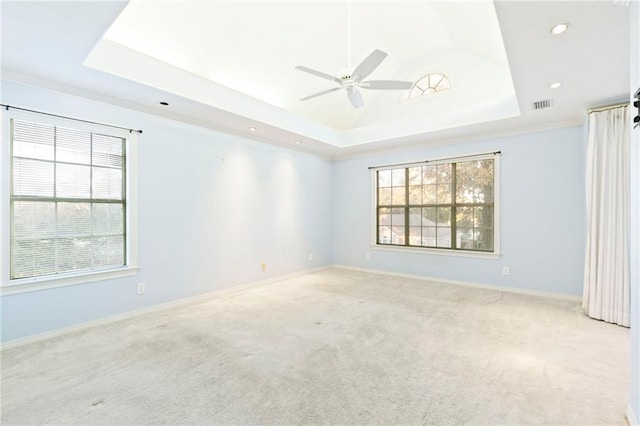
[(542, 209)]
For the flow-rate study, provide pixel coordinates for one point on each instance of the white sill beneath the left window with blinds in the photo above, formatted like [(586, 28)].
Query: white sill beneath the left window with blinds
[(25, 285)]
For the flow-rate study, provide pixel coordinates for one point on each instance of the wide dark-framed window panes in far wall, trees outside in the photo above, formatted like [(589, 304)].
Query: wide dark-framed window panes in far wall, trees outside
[(441, 205)]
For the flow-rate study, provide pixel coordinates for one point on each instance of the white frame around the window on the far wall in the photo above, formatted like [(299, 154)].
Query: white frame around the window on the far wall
[(496, 254)]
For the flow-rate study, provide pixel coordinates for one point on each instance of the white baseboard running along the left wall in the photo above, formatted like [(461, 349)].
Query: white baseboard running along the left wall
[(137, 312)]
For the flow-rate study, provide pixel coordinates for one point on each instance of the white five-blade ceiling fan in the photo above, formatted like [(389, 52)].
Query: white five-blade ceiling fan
[(351, 83)]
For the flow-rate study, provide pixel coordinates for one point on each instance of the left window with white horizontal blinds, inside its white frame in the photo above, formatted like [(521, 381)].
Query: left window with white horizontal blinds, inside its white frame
[(68, 206)]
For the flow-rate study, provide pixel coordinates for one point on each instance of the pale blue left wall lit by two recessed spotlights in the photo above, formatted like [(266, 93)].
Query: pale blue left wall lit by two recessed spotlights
[(212, 207)]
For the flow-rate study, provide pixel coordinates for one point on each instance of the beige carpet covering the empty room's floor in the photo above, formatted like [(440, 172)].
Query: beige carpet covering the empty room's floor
[(331, 347)]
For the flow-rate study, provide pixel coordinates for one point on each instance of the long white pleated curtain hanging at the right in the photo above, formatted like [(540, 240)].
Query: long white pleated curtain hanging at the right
[(606, 277)]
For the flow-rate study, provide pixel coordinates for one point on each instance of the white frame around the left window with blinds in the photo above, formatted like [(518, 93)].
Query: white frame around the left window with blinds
[(9, 286)]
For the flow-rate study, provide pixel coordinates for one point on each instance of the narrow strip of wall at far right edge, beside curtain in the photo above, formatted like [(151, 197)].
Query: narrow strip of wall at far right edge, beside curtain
[(634, 55)]
